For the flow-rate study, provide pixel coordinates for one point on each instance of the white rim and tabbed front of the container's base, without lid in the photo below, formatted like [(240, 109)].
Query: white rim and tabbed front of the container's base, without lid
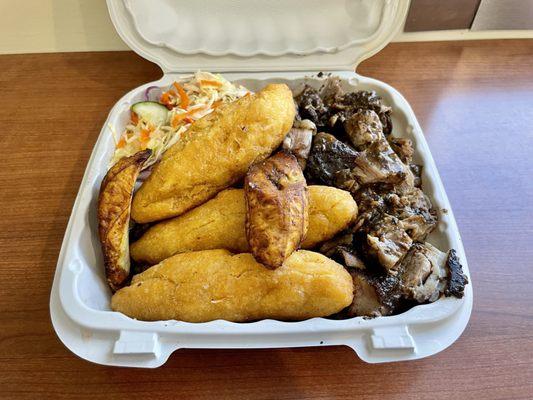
[(109, 338)]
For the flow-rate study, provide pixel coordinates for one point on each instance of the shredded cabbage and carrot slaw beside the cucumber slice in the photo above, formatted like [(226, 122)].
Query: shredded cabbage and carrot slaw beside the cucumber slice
[(205, 91)]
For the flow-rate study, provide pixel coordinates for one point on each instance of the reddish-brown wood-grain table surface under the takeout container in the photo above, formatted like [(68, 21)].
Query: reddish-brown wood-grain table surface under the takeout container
[(474, 101)]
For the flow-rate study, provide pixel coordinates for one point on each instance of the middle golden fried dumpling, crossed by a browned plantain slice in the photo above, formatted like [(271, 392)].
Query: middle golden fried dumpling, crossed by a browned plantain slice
[(219, 224)]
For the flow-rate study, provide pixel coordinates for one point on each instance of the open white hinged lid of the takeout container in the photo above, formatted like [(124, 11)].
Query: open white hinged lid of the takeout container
[(257, 35)]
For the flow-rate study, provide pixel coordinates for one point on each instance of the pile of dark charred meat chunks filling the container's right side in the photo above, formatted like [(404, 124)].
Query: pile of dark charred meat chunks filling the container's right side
[(384, 249)]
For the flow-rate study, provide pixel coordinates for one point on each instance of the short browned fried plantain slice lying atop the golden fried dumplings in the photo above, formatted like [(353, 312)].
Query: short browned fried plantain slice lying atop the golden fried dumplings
[(277, 208)]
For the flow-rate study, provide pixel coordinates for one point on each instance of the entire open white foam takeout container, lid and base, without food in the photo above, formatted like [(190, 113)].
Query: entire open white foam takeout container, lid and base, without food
[(253, 42)]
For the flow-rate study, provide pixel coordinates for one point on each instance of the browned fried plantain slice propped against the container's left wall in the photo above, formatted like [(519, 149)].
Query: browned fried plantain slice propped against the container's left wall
[(114, 206)]
